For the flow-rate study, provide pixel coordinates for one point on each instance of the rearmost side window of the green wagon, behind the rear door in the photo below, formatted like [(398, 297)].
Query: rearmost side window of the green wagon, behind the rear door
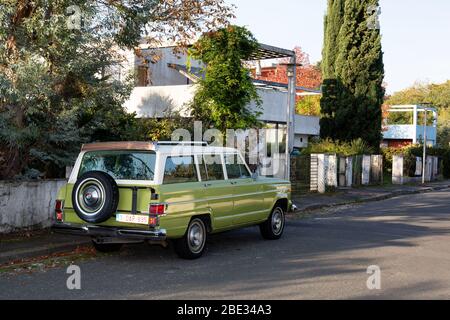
[(180, 170)]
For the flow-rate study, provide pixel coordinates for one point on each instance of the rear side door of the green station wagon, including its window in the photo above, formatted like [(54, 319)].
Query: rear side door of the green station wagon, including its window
[(217, 190)]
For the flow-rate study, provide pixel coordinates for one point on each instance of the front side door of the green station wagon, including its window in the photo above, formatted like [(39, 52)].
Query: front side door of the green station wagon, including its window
[(248, 200)]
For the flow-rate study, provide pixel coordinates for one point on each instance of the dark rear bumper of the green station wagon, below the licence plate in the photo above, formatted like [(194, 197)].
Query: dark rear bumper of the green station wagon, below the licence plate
[(96, 231)]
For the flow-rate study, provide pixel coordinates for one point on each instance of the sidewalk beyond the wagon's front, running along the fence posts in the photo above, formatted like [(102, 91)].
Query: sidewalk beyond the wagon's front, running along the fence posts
[(315, 201)]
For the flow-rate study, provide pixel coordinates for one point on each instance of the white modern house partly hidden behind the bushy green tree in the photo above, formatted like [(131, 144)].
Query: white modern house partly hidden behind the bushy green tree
[(164, 85)]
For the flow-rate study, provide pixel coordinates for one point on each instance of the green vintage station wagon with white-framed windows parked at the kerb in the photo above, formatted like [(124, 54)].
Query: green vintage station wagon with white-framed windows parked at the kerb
[(129, 192)]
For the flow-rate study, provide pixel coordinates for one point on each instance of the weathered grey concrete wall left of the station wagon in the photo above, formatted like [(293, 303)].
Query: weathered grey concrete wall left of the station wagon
[(27, 204)]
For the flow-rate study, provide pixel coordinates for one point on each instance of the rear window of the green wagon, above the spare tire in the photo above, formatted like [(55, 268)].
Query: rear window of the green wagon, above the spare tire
[(121, 165)]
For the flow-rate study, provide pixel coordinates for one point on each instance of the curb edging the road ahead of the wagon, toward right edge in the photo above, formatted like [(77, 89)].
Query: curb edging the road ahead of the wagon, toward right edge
[(316, 207)]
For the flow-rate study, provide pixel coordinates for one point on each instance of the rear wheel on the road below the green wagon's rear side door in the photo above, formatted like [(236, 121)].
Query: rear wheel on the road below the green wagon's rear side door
[(193, 244)]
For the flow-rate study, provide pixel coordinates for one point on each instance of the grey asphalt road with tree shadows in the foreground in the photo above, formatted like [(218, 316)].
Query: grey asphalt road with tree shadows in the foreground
[(322, 257)]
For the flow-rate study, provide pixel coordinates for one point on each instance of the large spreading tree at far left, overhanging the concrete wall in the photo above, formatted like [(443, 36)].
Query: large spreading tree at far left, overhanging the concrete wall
[(57, 86)]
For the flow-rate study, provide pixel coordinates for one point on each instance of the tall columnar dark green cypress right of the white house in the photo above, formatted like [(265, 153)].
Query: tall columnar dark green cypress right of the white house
[(353, 73)]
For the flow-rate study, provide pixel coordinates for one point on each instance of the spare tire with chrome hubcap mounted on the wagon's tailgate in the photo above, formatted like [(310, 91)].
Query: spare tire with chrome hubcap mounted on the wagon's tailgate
[(95, 197)]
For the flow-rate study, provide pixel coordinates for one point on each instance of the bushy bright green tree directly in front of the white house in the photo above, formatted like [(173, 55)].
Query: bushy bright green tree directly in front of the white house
[(224, 96)]
